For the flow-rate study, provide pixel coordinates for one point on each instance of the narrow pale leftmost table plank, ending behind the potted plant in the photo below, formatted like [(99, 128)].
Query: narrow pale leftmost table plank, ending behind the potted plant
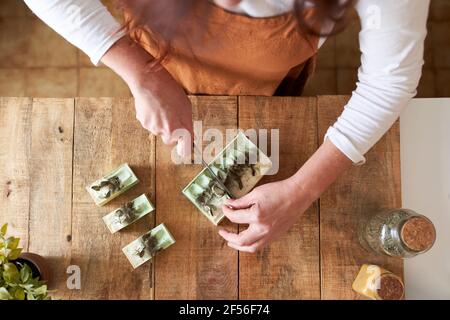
[(15, 133)]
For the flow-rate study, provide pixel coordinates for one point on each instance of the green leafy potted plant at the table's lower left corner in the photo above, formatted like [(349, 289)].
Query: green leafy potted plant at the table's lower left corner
[(22, 276)]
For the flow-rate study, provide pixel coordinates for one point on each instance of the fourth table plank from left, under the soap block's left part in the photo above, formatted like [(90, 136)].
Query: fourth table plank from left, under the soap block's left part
[(199, 265)]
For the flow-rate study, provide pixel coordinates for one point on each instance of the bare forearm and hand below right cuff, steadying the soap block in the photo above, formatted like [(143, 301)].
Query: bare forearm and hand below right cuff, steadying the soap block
[(271, 209)]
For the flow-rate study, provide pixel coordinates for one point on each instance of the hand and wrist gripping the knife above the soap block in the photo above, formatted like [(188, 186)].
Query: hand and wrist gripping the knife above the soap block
[(162, 106)]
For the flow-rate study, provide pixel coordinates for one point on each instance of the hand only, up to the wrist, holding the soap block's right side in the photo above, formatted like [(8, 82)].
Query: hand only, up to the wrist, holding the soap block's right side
[(269, 210)]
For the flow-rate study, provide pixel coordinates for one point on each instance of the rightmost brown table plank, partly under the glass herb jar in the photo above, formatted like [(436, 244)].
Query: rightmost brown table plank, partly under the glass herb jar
[(362, 191)]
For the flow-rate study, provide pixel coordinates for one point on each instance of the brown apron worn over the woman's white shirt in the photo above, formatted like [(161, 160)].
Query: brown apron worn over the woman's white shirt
[(233, 54)]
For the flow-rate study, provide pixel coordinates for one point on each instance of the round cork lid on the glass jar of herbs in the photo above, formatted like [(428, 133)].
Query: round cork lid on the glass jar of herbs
[(418, 234)]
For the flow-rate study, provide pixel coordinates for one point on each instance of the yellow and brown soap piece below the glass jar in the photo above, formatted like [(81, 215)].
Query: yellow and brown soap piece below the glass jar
[(377, 283)]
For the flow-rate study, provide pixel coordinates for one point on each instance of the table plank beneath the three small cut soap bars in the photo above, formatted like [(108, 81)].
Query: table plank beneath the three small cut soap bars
[(106, 135)]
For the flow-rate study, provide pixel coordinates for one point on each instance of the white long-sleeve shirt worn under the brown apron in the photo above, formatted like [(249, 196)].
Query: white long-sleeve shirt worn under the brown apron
[(391, 43)]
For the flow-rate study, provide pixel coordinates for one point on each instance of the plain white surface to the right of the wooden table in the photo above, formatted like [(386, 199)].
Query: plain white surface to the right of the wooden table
[(425, 165)]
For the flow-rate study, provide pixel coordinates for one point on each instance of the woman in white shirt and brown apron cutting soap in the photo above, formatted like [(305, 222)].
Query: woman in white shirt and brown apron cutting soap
[(253, 47)]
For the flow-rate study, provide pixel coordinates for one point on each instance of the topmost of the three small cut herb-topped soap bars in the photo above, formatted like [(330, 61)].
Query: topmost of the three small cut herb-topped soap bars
[(112, 185)]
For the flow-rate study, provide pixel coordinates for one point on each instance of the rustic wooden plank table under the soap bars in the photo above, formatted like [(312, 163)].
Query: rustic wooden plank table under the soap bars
[(50, 149)]
